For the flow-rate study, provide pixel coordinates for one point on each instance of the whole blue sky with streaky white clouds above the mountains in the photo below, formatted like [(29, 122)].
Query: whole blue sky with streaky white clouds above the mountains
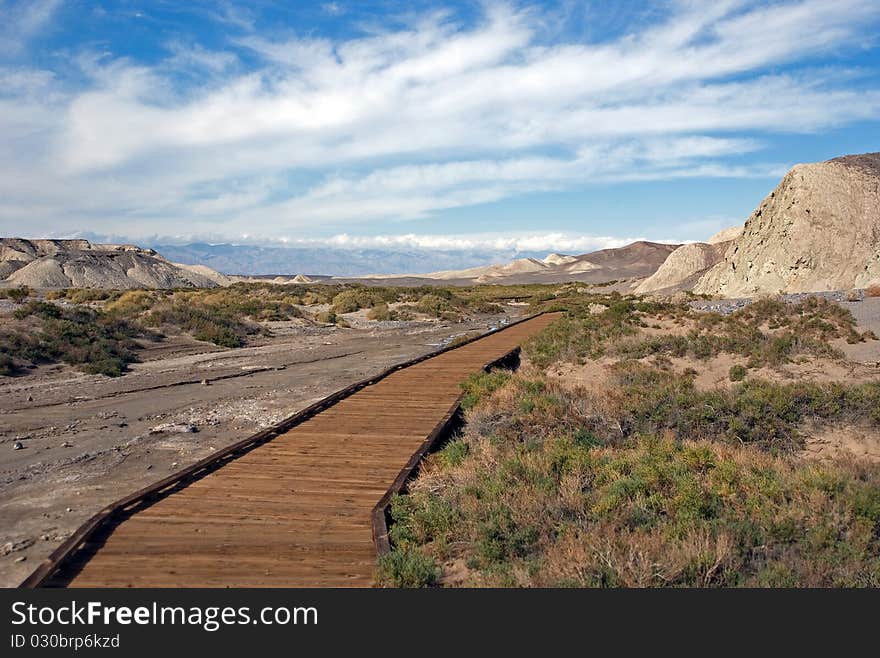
[(548, 126)]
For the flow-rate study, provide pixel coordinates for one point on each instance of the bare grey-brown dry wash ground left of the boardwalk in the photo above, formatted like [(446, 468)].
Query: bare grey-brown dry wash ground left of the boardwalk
[(89, 440)]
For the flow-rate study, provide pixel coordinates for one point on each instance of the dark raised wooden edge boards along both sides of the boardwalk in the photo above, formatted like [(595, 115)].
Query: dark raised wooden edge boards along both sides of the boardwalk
[(129, 505)]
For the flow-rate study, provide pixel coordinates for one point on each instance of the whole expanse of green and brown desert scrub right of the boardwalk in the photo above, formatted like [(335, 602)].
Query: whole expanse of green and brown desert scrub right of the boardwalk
[(650, 479)]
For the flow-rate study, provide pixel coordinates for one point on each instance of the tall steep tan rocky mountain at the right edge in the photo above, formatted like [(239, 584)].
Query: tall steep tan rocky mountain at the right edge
[(818, 230)]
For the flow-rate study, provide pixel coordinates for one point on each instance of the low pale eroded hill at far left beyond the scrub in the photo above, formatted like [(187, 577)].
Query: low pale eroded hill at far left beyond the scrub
[(81, 264)]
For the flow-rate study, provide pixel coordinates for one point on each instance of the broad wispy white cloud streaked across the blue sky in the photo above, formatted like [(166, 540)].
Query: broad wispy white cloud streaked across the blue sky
[(399, 124)]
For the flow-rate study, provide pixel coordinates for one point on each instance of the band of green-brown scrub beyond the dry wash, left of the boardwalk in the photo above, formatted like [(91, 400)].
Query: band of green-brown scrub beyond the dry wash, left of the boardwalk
[(94, 329)]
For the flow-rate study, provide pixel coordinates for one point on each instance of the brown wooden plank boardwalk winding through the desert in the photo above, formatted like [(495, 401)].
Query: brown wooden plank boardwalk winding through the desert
[(295, 511)]
